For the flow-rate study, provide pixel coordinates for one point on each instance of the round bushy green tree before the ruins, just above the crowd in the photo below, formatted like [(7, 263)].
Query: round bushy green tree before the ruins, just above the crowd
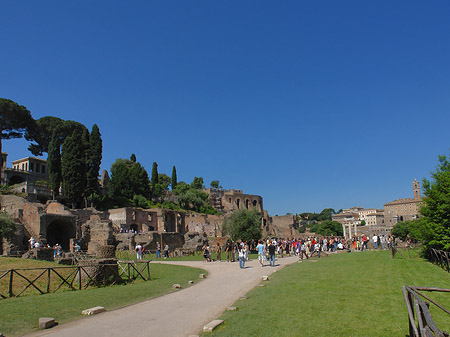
[(244, 225)]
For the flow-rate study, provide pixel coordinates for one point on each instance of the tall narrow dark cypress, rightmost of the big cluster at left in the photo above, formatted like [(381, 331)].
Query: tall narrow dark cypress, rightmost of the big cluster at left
[(94, 160)]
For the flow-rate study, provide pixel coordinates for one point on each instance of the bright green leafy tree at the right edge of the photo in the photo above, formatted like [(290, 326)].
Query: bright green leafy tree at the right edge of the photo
[(436, 208)]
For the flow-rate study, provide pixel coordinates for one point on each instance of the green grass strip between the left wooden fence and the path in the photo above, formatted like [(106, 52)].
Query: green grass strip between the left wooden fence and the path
[(20, 315)]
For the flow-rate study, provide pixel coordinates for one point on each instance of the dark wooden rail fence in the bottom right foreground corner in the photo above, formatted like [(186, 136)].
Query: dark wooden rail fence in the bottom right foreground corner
[(421, 323)]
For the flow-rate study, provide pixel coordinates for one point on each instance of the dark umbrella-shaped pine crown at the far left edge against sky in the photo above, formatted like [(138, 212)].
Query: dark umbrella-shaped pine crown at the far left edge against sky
[(15, 119)]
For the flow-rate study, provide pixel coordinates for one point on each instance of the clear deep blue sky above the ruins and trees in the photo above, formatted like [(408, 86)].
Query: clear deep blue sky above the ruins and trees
[(310, 104)]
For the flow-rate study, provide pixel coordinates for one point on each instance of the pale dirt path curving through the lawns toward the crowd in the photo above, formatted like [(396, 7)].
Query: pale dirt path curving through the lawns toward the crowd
[(181, 313)]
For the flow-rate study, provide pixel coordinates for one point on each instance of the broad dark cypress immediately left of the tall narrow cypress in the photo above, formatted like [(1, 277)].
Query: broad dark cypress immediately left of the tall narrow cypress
[(73, 166)]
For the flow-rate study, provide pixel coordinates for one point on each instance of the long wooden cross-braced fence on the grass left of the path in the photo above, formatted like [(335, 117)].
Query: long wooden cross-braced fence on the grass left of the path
[(16, 282)]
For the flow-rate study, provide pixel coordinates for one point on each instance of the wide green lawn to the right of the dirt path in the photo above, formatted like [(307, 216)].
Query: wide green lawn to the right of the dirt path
[(356, 294)]
